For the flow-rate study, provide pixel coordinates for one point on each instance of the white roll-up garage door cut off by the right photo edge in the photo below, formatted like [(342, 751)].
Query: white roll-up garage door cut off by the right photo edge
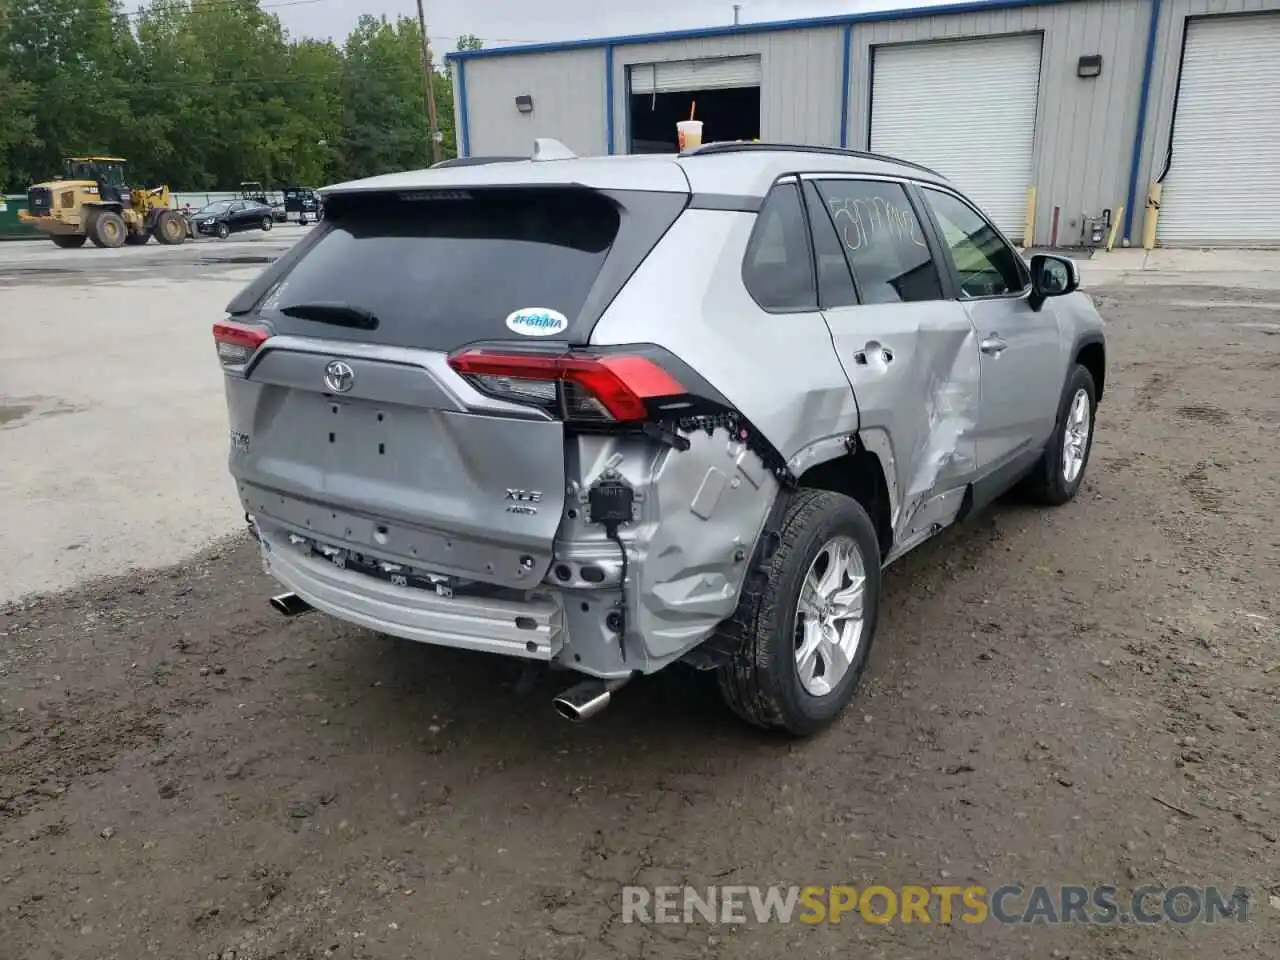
[(1223, 188)]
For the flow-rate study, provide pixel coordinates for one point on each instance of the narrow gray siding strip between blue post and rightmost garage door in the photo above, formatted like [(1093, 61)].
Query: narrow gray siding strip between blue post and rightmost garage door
[(1164, 86)]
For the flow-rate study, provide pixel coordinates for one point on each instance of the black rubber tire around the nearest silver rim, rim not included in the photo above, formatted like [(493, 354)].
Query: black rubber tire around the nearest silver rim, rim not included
[(762, 685)]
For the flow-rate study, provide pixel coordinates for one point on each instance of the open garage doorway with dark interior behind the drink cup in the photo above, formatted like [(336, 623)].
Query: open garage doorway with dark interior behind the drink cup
[(726, 93)]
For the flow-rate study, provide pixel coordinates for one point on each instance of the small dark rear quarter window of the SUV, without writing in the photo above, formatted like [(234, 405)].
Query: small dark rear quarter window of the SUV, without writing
[(779, 267)]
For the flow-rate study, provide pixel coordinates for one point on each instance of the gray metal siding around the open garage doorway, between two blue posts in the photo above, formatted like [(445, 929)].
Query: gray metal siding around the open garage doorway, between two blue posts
[(801, 93)]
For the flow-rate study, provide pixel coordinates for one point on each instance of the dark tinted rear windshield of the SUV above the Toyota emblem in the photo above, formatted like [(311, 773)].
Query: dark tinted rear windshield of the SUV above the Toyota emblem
[(440, 271)]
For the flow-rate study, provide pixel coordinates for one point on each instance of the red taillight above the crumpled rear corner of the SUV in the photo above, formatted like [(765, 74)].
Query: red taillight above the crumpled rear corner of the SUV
[(577, 386)]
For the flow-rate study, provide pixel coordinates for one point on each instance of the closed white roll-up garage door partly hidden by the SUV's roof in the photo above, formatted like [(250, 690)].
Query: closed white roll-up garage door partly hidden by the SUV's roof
[(967, 109)]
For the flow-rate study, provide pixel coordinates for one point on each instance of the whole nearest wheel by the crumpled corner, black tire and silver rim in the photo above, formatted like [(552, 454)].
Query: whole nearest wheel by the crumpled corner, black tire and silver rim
[(806, 621)]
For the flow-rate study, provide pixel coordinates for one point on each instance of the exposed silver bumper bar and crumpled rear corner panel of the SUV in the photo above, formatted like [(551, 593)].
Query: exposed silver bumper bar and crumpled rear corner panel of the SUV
[(697, 518)]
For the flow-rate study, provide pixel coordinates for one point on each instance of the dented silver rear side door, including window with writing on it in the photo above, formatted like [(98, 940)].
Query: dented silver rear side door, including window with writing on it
[(908, 350)]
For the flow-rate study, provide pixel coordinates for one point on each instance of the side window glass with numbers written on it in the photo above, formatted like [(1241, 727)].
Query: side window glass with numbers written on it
[(884, 241)]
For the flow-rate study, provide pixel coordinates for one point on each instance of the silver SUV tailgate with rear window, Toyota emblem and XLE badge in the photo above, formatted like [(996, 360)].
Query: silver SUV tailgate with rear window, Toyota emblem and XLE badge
[(350, 424)]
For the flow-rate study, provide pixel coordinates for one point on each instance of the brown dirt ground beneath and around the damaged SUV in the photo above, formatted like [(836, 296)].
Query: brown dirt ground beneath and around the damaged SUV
[(185, 775)]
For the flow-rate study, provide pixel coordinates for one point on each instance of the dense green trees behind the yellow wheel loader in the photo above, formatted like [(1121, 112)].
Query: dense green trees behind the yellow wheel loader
[(207, 94)]
